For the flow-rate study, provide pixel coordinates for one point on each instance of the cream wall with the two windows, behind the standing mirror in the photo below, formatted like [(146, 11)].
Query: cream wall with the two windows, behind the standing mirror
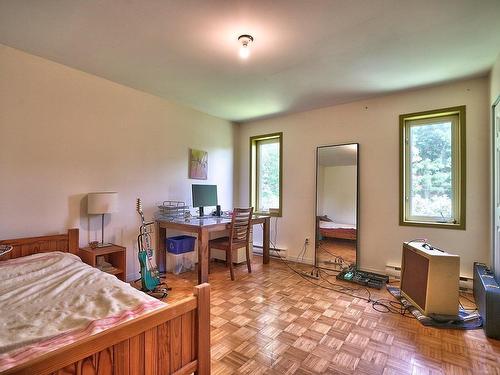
[(374, 124)]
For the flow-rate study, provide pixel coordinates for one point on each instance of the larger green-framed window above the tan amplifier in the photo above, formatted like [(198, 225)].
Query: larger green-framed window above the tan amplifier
[(432, 187)]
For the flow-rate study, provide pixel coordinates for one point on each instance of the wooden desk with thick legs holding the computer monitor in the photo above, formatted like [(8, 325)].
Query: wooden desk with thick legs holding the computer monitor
[(203, 227)]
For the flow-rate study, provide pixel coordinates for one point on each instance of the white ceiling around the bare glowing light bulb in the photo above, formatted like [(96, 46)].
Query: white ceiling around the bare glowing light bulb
[(307, 53)]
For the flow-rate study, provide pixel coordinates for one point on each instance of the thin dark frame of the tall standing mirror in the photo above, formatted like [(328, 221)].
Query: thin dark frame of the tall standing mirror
[(316, 226)]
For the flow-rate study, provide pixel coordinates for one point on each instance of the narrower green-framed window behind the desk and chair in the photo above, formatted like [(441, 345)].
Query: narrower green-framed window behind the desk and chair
[(266, 163)]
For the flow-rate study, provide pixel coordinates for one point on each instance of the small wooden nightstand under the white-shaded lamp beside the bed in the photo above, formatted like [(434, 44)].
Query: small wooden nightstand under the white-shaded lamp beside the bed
[(113, 254)]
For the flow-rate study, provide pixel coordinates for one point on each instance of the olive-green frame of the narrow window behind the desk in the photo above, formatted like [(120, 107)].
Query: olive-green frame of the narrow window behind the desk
[(254, 173)]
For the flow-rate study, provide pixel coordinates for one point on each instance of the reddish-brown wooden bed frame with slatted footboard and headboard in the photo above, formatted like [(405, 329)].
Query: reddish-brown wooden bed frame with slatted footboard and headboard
[(172, 340)]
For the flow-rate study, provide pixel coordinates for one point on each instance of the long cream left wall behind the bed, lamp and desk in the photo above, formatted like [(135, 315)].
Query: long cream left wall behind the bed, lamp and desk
[(64, 133)]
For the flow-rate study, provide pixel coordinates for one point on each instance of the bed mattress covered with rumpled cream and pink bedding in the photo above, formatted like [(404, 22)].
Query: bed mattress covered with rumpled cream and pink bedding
[(53, 299)]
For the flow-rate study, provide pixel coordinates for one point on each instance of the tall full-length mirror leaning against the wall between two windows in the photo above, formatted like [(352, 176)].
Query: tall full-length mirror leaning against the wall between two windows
[(337, 206)]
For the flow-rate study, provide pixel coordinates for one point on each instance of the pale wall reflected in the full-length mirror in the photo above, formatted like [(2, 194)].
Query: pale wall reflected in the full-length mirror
[(339, 194)]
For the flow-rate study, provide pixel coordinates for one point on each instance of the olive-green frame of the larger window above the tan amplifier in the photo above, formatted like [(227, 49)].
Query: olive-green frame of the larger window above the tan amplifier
[(406, 121)]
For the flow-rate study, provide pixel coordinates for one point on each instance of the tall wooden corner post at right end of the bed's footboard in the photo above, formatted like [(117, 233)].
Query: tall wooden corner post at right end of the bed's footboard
[(202, 292)]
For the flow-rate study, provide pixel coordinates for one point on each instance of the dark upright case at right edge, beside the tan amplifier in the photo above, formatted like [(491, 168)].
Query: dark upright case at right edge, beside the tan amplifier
[(487, 296)]
